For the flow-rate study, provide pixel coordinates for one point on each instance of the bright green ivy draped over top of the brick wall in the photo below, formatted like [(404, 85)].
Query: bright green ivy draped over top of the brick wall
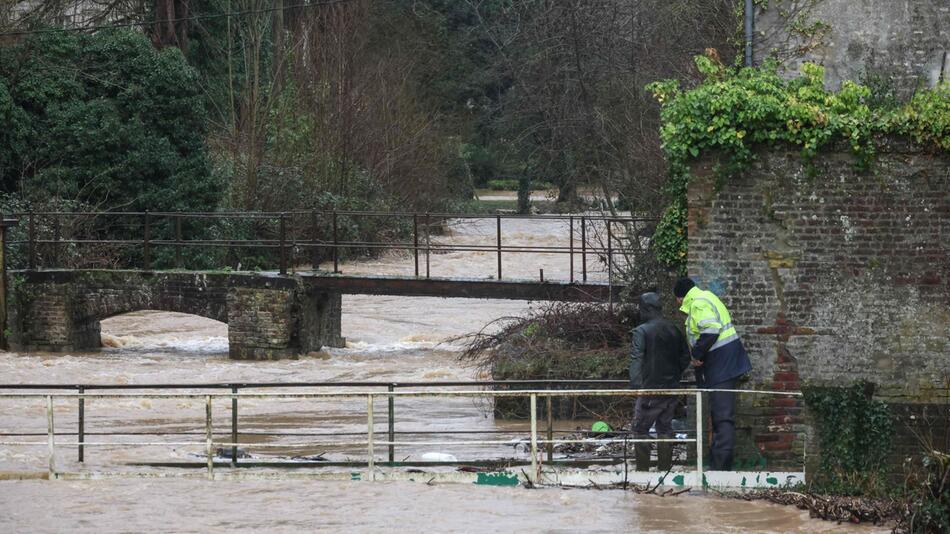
[(736, 111)]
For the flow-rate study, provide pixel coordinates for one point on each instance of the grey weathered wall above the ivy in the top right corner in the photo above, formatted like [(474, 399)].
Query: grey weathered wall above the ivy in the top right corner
[(905, 41)]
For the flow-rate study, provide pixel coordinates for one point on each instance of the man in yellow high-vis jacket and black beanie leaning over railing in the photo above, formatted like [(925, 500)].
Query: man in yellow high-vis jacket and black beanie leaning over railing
[(719, 360)]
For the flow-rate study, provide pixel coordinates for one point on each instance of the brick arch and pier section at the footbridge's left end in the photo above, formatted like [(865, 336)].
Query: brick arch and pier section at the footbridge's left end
[(268, 317)]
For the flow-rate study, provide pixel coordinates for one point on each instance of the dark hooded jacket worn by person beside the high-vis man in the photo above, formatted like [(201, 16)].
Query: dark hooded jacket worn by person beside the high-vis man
[(659, 353)]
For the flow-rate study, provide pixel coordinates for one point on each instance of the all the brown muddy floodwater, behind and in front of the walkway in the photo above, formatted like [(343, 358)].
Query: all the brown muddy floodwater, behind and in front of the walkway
[(389, 339)]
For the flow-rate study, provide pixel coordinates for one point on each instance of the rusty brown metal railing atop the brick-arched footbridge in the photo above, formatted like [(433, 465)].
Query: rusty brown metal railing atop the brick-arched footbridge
[(290, 233)]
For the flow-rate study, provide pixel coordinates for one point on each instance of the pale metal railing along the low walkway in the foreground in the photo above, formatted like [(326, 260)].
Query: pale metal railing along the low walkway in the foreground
[(371, 441)]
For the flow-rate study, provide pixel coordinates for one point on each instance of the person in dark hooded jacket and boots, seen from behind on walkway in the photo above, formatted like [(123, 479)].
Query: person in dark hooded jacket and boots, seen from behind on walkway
[(658, 356)]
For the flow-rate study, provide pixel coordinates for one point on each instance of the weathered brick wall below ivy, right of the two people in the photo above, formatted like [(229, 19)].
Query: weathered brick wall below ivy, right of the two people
[(830, 279)]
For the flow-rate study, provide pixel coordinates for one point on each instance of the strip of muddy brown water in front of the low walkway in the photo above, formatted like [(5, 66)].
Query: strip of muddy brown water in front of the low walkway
[(299, 506)]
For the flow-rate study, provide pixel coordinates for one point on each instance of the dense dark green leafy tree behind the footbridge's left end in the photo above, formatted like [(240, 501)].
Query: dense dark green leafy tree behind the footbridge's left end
[(104, 119)]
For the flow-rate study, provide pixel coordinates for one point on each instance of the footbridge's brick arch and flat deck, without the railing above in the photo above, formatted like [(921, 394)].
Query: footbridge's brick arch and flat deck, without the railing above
[(269, 316)]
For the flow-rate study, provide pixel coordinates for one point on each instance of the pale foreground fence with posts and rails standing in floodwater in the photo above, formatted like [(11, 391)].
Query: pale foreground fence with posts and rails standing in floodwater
[(537, 446)]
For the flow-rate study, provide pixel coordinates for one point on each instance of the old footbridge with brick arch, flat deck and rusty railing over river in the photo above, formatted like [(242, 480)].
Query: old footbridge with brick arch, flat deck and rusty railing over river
[(277, 279)]
